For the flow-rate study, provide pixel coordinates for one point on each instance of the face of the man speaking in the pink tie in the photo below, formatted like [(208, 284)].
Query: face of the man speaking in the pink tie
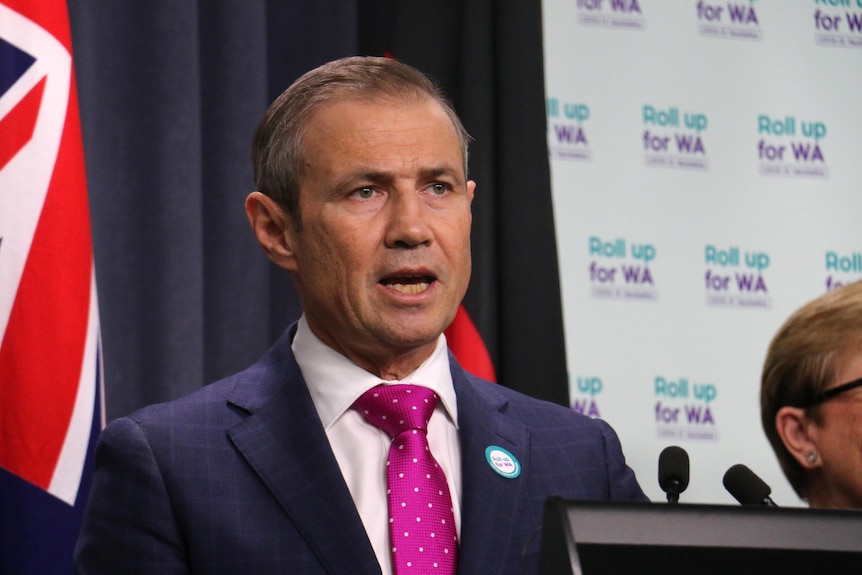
[(382, 259)]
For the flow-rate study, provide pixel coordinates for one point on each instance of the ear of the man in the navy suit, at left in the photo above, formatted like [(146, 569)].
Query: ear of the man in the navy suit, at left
[(273, 229)]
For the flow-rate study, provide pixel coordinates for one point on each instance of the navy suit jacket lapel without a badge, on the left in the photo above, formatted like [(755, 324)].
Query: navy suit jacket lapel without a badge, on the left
[(286, 445)]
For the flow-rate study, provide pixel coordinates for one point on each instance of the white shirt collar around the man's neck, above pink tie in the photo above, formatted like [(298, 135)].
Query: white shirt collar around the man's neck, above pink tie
[(335, 382)]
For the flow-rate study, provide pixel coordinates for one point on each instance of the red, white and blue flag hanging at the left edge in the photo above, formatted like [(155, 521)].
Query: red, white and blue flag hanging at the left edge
[(50, 373)]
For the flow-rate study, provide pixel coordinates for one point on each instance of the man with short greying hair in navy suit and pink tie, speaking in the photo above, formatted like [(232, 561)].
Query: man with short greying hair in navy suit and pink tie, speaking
[(361, 172)]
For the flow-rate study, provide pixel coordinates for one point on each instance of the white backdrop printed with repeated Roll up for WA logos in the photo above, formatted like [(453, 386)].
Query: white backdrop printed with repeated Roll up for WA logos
[(706, 174)]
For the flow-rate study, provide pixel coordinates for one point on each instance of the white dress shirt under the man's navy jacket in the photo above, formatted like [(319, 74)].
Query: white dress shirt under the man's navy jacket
[(361, 448)]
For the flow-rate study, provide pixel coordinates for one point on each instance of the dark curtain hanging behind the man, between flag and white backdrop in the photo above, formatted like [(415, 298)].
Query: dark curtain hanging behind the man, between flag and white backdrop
[(170, 94)]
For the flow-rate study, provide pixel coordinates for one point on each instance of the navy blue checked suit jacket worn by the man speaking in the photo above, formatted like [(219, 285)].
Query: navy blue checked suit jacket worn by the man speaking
[(239, 477)]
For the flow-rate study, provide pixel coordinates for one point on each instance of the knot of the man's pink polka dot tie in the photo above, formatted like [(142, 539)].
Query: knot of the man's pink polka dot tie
[(397, 408)]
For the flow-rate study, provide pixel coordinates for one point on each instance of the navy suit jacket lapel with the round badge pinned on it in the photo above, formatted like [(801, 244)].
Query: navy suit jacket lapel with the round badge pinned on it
[(491, 504)]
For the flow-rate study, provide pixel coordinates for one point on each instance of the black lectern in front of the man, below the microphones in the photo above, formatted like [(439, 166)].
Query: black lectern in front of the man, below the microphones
[(596, 538)]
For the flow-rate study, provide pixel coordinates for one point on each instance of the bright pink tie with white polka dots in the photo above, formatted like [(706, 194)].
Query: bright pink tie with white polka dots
[(421, 522)]
